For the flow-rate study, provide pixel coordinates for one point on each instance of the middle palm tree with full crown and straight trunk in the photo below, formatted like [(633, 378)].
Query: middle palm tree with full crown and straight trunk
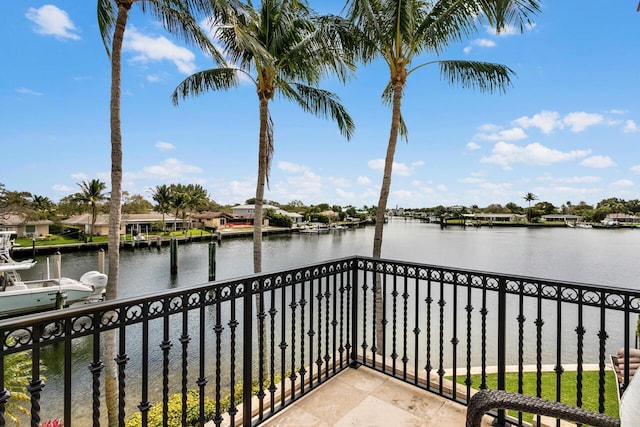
[(283, 48)]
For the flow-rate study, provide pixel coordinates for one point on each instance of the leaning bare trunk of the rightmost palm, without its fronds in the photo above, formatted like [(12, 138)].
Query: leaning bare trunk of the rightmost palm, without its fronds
[(381, 210)]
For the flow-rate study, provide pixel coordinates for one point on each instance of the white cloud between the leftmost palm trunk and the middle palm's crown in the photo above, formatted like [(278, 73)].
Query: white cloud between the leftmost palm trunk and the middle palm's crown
[(151, 49)]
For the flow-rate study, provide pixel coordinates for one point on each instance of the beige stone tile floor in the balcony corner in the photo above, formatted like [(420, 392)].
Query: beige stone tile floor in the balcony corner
[(366, 398)]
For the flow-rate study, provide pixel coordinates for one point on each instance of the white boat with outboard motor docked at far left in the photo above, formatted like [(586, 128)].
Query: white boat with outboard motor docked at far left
[(18, 296)]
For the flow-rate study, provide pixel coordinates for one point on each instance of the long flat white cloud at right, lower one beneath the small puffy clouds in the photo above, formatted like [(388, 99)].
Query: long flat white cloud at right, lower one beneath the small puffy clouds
[(505, 154)]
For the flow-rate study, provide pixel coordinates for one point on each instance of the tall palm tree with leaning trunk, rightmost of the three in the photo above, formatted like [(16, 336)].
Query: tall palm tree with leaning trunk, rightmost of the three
[(400, 31)]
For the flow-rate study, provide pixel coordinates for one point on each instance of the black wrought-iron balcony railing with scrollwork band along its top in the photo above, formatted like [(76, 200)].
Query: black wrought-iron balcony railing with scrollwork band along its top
[(249, 349)]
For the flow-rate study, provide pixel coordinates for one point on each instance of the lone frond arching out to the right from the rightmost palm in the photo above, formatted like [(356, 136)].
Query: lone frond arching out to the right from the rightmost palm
[(485, 76)]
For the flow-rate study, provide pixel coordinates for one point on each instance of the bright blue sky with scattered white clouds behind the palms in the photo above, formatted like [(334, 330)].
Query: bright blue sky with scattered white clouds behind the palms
[(568, 129)]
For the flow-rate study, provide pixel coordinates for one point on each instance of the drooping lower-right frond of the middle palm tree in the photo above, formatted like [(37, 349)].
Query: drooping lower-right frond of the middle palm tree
[(321, 103)]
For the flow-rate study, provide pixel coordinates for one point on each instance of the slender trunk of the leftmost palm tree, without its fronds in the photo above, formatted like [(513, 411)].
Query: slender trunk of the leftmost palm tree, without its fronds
[(110, 349)]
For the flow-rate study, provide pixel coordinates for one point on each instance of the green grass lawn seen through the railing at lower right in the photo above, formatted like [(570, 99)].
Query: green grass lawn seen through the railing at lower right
[(590, 381)]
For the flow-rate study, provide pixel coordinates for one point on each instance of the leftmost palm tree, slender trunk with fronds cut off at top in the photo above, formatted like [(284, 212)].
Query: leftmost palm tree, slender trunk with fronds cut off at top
[(180, 18)]
